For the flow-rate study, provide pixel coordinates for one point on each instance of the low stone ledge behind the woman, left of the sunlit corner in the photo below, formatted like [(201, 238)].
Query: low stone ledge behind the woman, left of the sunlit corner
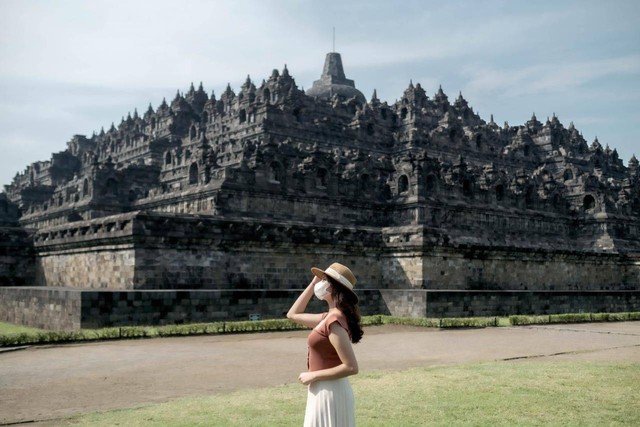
[(70, 309)]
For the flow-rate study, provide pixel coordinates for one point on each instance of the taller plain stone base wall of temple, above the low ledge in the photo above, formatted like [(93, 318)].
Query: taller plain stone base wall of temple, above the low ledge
[(167, 251)]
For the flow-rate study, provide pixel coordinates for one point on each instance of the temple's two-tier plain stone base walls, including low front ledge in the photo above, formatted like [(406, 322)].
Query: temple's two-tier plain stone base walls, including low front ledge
[(152, 268)]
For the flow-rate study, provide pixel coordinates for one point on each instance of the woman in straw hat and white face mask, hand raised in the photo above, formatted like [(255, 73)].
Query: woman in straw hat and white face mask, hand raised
[(331, 359)]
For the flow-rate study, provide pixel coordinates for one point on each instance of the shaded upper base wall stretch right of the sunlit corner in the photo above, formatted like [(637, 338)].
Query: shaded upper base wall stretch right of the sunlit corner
[(482, 268)]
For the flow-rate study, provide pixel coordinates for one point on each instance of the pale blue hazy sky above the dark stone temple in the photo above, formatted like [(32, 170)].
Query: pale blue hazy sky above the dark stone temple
[(72, 67)]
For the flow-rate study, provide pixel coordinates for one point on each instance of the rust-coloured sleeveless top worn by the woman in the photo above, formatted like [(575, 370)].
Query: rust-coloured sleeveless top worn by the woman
[(322, 354)]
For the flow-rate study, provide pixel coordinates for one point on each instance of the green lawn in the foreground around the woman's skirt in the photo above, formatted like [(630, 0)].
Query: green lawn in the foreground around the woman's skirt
[(525, 393)]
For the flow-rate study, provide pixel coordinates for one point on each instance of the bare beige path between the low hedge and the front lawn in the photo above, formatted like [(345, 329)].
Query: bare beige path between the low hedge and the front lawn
[(45, 383)]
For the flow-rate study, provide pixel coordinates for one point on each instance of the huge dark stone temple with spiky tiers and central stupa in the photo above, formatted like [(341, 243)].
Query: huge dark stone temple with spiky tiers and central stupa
[(215, 207)]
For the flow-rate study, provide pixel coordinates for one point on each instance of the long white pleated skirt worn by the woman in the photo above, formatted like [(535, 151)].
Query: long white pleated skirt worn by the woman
[(330, 404)]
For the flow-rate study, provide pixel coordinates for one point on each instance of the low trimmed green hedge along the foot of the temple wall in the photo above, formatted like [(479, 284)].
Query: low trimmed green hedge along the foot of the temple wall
[(125, 332)]
